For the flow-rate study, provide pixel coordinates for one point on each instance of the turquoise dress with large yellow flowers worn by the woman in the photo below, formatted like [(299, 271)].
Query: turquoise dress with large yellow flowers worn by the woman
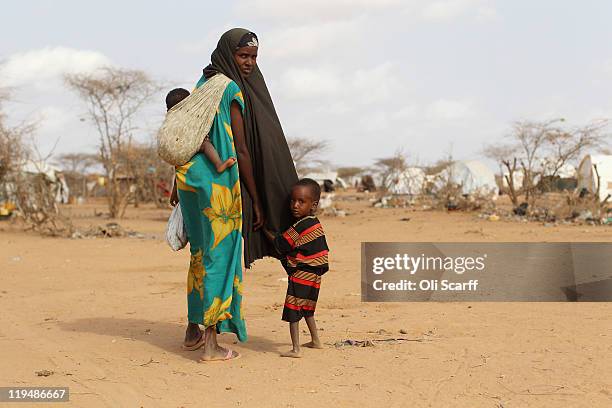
[(212, 210)]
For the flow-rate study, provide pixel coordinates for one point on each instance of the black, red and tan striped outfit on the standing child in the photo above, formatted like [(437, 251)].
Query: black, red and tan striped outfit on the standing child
[(306, 260)]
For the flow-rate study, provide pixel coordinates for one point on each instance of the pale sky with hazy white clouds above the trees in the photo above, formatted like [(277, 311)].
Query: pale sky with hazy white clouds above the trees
[(369, 76)]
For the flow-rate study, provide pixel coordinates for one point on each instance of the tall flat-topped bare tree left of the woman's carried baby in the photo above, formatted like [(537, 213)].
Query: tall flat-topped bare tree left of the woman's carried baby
[(114, 96)]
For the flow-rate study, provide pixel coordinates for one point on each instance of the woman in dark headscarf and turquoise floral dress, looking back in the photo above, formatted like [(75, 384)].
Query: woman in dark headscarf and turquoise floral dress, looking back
[(218, 207)]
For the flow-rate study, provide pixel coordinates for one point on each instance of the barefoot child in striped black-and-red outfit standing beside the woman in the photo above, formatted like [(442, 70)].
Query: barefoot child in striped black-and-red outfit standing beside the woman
[(305, 259)]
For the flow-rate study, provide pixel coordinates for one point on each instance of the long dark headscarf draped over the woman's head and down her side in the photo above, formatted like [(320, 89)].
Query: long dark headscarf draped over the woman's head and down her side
[(273, 167)]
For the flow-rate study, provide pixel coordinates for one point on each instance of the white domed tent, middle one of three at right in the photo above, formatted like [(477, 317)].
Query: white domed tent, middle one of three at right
[(473, 176)]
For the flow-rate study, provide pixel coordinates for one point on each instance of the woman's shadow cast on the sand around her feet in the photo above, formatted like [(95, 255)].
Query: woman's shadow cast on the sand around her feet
[(165, 335)]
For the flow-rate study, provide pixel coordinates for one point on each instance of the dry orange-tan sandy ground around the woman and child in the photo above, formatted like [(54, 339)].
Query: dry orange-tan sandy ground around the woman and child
[(107, 316)]
